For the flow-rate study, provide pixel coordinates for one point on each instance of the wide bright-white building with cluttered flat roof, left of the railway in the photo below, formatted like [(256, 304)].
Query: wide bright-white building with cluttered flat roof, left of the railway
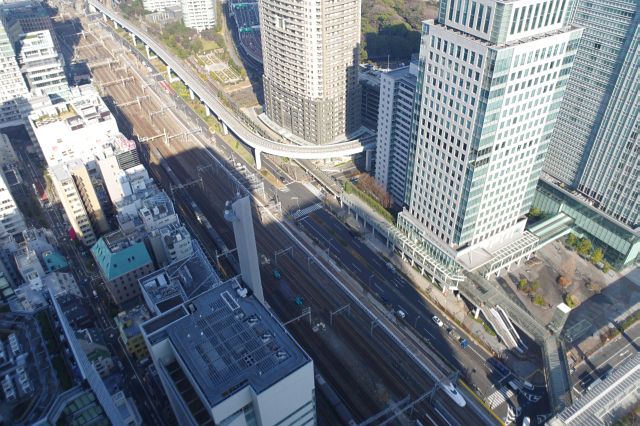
[(75, 129)]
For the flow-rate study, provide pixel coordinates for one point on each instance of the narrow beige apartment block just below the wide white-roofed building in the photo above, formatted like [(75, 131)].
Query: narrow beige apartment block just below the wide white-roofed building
[(75, 190)]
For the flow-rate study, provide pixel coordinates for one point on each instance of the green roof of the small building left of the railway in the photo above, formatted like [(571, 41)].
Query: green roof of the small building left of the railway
[(121, 262)]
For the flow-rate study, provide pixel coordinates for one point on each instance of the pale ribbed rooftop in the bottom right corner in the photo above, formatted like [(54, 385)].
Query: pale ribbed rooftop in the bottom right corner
[(599, 405)]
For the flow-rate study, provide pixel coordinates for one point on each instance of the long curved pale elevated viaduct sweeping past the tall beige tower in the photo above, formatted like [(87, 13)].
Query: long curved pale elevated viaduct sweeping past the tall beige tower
[(226, 117)]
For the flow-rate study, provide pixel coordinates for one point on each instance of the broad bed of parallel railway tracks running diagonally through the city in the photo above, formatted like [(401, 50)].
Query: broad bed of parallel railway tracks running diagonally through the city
[(369, 372)]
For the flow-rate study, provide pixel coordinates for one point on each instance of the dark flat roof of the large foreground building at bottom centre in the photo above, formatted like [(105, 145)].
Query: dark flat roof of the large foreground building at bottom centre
[(228, 342)]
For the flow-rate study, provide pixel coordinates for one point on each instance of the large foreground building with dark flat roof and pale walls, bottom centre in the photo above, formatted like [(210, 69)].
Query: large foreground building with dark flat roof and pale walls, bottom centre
[(222, 358)]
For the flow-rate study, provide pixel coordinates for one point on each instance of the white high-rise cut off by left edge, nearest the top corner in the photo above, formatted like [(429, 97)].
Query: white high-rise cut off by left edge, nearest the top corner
[(13, 88)]
